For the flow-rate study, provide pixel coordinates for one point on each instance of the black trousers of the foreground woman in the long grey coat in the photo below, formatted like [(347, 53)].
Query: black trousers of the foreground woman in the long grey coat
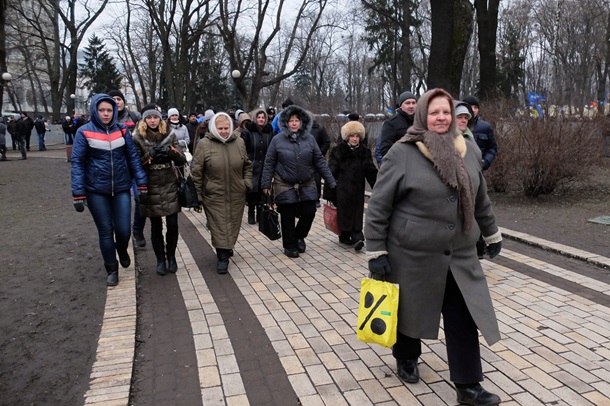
[(463, 351)]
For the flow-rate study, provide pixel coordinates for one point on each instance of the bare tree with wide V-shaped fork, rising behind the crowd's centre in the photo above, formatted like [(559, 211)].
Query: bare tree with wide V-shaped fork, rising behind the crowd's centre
[(250, 52)]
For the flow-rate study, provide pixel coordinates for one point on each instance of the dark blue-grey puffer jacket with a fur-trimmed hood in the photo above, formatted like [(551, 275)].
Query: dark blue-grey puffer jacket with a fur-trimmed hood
[(292, 159)]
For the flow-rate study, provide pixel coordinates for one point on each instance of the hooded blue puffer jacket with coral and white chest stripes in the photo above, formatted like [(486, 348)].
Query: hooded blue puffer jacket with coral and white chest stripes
[(104, 158)]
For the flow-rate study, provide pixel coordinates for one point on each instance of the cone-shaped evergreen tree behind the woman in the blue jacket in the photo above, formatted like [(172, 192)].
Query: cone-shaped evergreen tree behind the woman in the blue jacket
[(99, 70)]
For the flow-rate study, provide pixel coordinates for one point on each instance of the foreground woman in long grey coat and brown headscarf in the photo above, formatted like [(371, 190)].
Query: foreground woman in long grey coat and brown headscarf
[(426, 212)]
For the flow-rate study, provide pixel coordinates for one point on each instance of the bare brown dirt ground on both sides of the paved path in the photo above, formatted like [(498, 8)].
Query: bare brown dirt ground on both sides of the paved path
[(53, 289)]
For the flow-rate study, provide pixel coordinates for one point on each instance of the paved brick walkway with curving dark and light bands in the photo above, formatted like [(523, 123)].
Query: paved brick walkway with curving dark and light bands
[(281, 331)]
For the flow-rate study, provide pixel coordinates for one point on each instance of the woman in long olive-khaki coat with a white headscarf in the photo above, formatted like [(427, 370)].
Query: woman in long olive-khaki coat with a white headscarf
[(222, 174)]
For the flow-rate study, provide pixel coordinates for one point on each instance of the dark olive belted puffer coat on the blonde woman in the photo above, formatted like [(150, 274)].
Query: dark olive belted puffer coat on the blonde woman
[(163, 184)]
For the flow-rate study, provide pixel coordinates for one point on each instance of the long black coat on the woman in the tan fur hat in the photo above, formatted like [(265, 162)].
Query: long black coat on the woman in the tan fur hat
[(351, 167)]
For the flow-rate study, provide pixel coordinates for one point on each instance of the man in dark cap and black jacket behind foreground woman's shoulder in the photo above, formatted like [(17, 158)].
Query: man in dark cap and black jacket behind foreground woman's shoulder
[(396, 126)]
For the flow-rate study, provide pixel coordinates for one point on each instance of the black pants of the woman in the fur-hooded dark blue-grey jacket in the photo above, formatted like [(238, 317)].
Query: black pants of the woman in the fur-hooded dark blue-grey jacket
[(291, 232)]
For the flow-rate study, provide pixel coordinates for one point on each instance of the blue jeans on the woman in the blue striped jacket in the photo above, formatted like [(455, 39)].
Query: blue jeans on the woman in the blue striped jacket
[(112, 216)]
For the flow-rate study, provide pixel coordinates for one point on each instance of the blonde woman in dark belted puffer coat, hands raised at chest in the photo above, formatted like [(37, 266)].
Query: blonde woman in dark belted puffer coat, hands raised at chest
[(159, 152)]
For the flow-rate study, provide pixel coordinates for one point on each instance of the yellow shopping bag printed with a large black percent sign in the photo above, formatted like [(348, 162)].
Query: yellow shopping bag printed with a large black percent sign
[(377, 312)]
